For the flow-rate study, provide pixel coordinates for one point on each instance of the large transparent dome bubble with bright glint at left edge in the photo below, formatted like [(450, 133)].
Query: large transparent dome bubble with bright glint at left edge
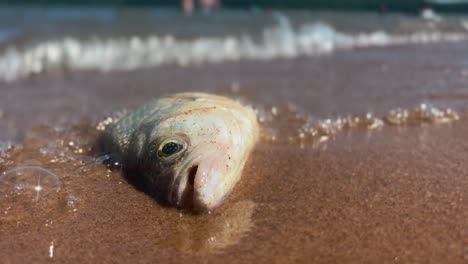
[(29, 191)]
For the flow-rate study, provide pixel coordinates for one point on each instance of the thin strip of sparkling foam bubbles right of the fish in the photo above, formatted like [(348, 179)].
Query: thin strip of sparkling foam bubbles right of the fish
[(302, 128)]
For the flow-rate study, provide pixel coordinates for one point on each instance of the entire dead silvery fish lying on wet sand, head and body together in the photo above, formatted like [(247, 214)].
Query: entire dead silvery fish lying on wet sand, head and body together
[(189, 147)]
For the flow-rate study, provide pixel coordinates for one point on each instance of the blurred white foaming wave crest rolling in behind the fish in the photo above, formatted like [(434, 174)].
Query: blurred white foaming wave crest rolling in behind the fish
[(130, 53)]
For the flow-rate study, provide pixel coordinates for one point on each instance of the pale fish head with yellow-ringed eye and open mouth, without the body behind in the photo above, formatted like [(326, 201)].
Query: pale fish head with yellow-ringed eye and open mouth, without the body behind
[(195, 157)]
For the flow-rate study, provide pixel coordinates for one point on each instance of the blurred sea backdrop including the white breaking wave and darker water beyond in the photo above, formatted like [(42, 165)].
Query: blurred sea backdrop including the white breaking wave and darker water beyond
[(52, 36)]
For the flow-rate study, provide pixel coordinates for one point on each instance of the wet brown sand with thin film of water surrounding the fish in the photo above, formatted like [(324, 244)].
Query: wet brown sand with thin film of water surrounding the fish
[(394, 194)]
